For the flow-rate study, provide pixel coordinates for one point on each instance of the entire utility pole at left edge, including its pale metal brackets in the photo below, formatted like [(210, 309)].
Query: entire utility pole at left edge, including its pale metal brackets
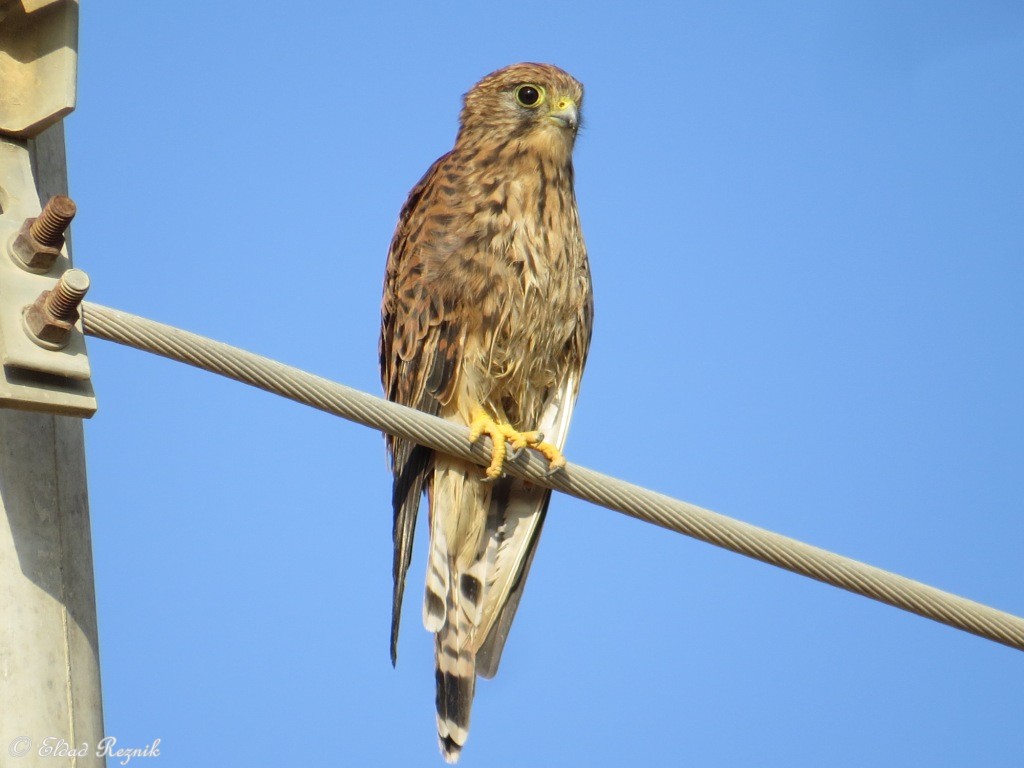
[(50, 657)]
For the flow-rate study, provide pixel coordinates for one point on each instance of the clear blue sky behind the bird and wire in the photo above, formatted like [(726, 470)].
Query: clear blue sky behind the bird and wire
[(806, 227)]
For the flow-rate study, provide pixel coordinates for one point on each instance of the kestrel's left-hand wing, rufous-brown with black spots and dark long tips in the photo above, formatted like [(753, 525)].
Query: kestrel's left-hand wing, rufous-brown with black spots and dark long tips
[(419, 356)]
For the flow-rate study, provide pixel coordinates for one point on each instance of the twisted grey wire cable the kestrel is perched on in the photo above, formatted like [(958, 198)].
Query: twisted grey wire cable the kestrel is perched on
[(614, 494)]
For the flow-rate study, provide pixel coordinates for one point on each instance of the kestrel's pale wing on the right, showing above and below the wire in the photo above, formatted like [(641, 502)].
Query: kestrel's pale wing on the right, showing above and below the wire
[(517, 518)]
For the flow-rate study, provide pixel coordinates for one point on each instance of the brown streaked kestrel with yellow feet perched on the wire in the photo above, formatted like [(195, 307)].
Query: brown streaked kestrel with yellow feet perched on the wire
[(487, 320)]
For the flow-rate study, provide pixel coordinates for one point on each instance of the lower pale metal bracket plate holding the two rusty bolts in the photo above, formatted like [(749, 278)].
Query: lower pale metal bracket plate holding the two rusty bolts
[(33, 378)]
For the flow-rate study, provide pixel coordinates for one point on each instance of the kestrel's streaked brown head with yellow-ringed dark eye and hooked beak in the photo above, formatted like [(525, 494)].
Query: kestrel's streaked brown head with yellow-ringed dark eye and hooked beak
[(534, 105)]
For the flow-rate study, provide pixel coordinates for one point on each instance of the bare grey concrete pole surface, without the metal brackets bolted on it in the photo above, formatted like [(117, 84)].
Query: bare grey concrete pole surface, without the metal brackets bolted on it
[(51, 712)]
